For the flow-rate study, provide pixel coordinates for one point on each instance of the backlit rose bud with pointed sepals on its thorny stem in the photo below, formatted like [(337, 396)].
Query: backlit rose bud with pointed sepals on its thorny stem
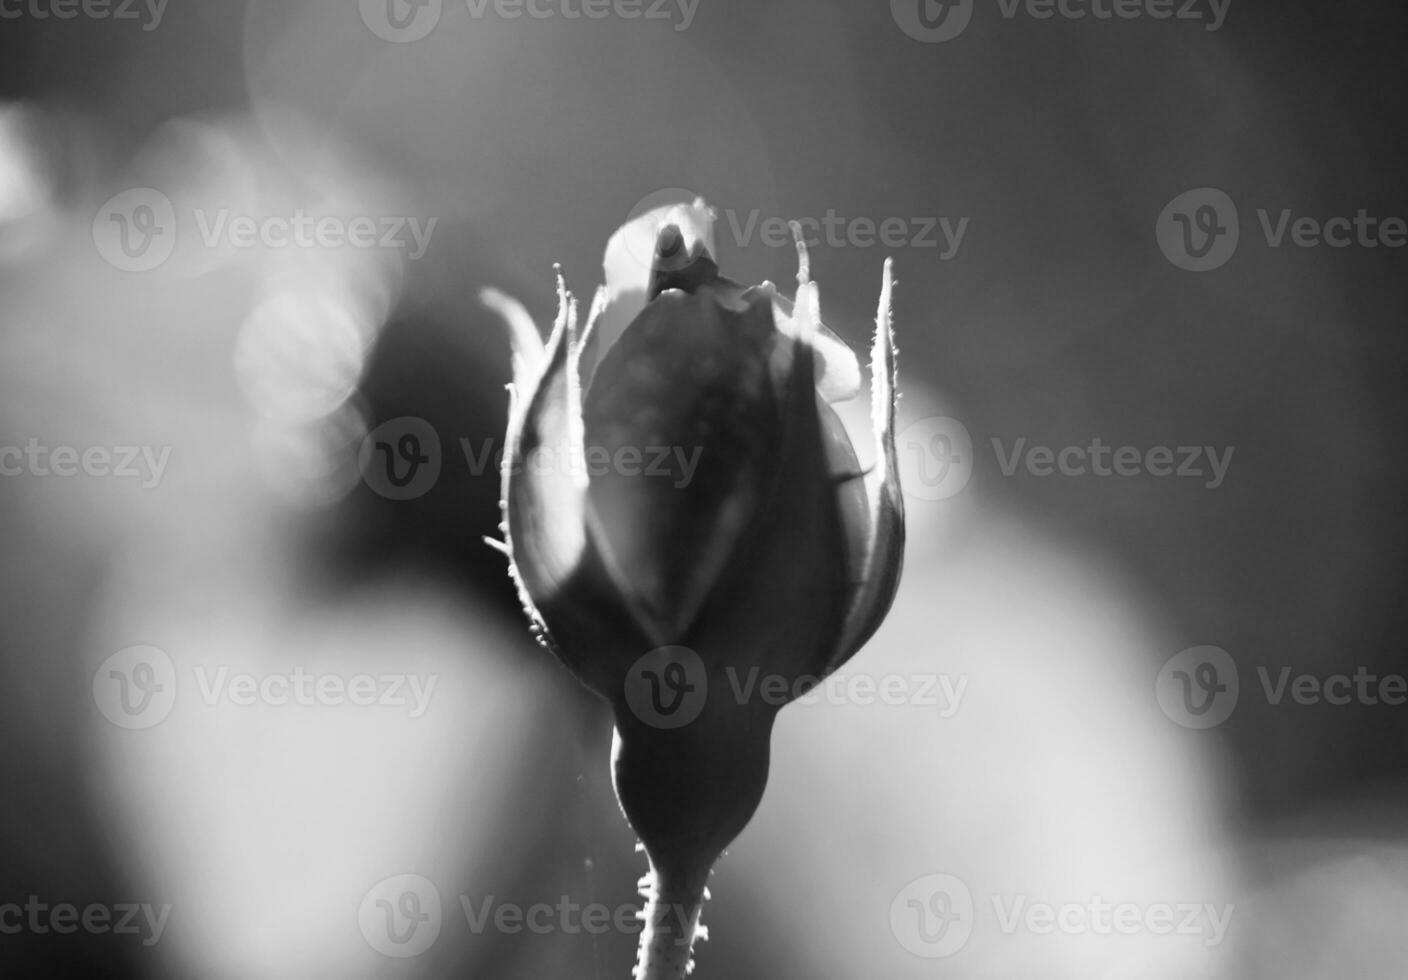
[(689, 513)]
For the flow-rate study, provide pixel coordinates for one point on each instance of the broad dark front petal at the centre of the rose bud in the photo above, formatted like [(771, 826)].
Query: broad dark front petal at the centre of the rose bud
[(685, 413)]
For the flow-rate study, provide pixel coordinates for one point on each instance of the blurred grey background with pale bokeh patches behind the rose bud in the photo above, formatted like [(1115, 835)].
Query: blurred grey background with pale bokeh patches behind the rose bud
[(192, 385)]
